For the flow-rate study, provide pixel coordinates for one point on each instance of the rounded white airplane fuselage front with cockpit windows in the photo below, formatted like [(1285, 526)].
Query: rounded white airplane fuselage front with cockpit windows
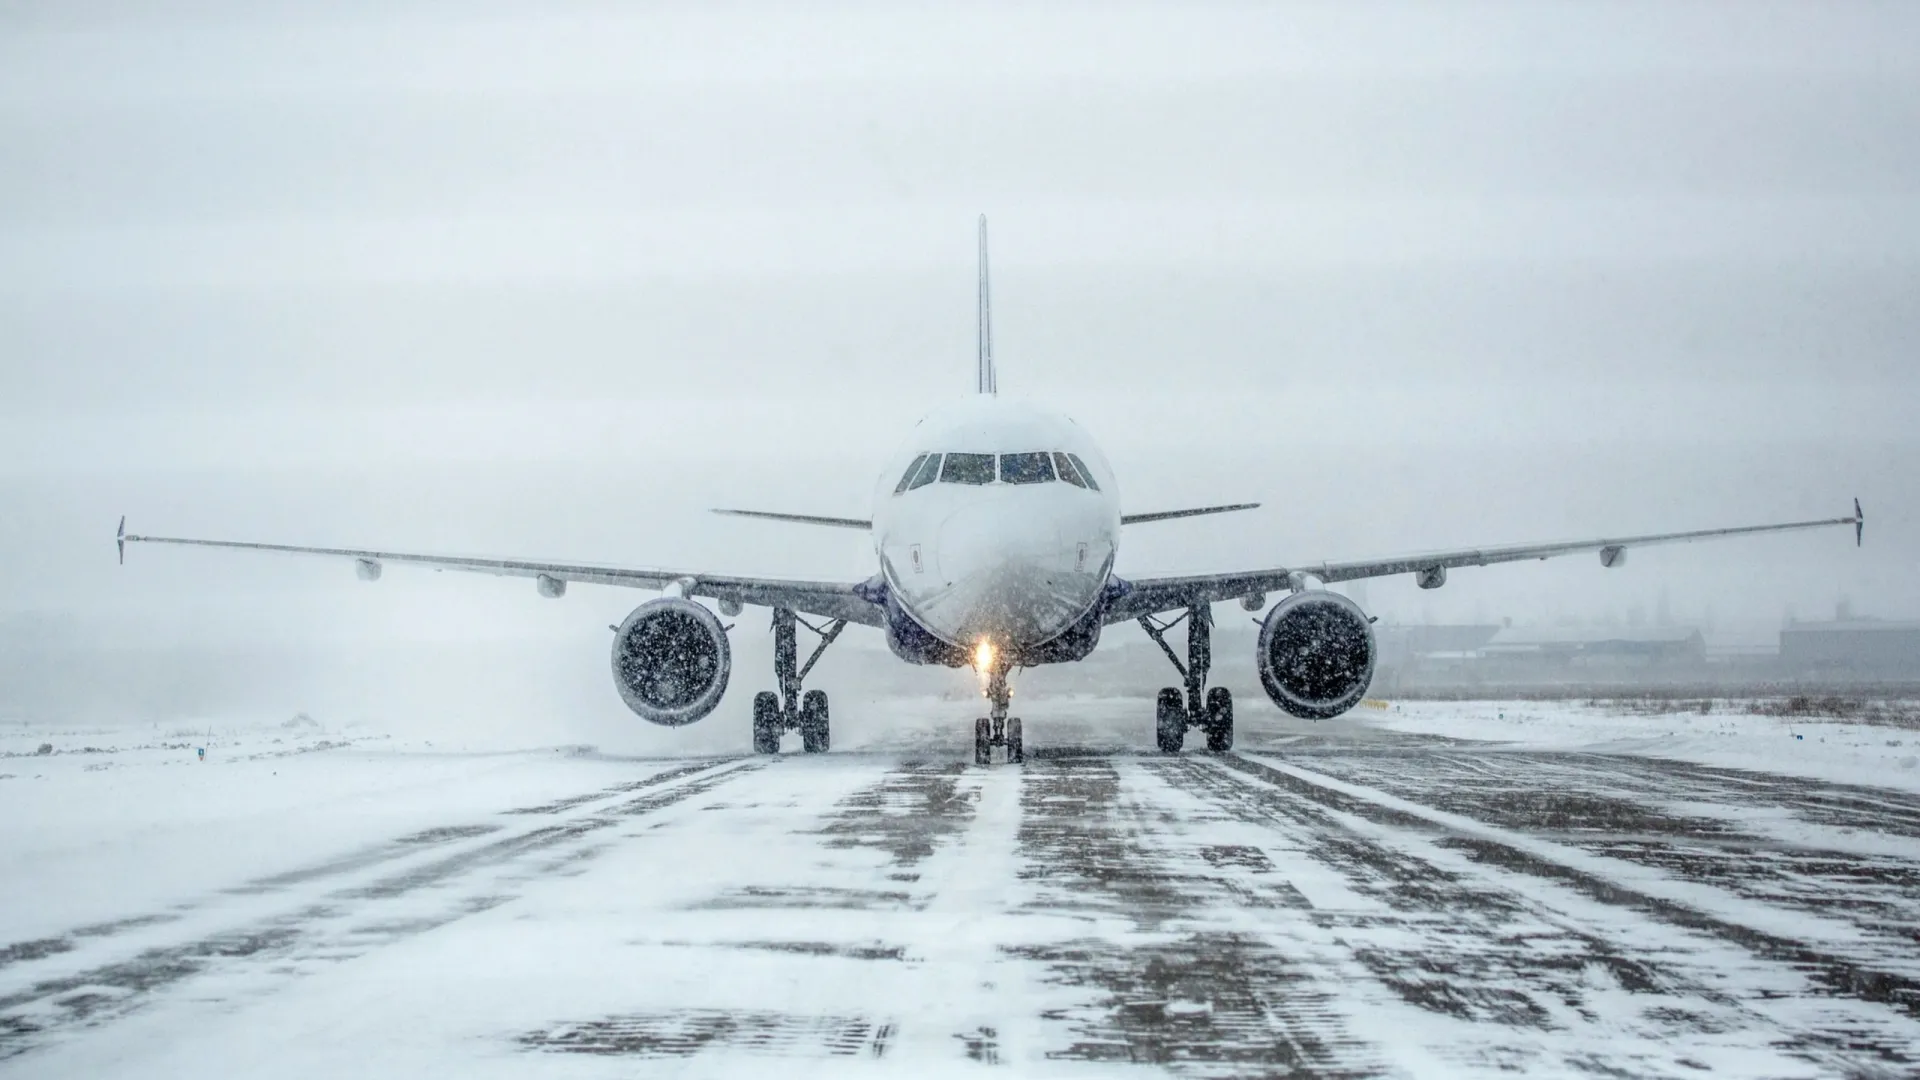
[(1011, 539)]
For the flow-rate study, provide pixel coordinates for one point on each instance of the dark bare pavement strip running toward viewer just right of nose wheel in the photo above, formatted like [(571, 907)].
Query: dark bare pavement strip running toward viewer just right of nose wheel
[(1176, 991)]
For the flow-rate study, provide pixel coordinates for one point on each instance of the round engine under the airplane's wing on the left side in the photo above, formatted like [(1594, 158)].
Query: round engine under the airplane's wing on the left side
[(671, 662)]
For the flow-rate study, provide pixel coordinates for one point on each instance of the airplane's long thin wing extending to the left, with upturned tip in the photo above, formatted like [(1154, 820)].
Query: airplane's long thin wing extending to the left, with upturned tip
[(830, 601)]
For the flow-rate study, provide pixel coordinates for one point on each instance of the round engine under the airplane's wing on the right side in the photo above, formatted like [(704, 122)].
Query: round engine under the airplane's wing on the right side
[(1316, 654)]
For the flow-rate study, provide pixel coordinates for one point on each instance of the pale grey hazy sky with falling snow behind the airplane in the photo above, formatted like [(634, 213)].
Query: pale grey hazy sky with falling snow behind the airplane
[(468, 278)]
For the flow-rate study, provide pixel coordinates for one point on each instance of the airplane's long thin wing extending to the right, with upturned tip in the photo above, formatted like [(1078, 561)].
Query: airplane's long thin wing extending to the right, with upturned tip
[(1149, 597)]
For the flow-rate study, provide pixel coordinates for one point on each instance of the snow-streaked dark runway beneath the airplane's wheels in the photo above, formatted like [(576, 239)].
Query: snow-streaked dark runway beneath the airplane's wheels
[(1324, 902)]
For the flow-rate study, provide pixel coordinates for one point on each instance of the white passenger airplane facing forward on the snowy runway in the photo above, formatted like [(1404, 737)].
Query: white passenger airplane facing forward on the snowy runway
[(996, 531)]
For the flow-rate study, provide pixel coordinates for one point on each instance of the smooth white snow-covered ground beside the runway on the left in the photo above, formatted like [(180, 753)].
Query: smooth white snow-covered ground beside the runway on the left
[(120, 822)]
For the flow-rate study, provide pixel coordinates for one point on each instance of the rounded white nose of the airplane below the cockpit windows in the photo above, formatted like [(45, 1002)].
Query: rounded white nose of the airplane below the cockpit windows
[(1009, 576)]
